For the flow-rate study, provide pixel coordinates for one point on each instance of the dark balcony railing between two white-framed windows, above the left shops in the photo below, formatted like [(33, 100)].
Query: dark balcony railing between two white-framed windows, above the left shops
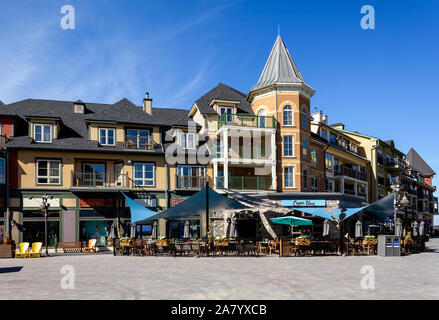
[(99, 180)]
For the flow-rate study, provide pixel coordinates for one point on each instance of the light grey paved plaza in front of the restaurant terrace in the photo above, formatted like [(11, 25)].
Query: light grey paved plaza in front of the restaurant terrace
[(103, 276)]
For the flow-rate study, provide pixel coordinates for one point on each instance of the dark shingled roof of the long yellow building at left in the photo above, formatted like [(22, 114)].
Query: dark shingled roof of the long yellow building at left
[(74, 133)]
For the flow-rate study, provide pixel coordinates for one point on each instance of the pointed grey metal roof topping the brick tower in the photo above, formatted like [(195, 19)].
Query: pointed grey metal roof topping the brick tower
[(279, 68)]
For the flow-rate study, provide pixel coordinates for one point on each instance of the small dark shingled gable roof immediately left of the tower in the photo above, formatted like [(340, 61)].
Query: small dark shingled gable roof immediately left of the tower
[(223, 92)]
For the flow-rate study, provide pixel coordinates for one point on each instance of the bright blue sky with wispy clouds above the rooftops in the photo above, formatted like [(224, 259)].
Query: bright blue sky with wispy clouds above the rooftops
[(381, 82)]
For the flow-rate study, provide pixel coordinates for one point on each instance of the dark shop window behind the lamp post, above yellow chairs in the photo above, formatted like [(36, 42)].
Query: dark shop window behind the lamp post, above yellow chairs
[(34, 227)]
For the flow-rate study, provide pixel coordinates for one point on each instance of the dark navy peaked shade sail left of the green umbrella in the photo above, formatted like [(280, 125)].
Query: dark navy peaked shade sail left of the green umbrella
[(195, 206)]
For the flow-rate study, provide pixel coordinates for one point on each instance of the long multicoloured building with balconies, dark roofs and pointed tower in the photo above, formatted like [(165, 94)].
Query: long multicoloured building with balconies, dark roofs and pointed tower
[(89, 156)]
